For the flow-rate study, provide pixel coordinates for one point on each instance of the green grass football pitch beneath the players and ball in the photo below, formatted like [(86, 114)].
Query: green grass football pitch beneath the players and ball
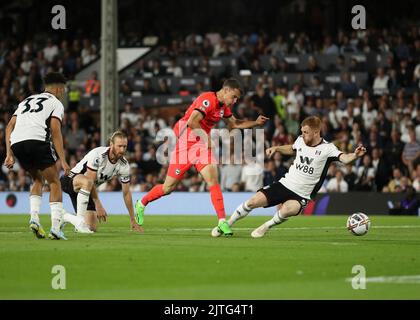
[(176, 258)]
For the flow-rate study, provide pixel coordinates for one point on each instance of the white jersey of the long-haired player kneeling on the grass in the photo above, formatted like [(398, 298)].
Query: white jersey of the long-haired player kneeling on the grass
[(98, 160)]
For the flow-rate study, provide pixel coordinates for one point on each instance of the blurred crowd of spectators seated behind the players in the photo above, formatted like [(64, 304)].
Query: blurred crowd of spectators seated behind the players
[(387, 124)]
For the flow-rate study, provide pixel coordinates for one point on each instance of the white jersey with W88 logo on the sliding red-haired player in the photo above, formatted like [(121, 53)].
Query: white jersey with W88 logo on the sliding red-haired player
[(308, 171)]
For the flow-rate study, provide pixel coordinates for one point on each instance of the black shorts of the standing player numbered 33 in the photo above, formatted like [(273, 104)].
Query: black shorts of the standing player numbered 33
[(34, 154)]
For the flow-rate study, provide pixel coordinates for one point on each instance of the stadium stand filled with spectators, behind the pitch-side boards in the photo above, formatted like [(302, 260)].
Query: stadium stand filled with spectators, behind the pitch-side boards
[(364, 85)]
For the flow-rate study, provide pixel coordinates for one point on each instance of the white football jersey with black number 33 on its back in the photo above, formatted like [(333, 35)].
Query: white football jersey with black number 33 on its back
[(33, 116)]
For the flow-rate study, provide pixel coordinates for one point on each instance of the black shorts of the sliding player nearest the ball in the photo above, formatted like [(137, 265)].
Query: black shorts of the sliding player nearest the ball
[(277, 193)]
